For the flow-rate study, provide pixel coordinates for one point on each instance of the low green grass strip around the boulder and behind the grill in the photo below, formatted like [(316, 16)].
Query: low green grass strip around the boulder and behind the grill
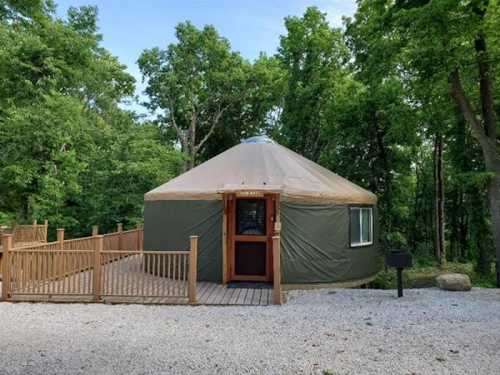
[(425, 276)]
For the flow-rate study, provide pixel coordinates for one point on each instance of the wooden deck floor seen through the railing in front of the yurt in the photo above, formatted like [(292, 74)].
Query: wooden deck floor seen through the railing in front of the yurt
[(142, 288)]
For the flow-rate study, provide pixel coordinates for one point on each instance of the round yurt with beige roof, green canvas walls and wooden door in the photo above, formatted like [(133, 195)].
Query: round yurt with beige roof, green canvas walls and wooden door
[(237, 201)]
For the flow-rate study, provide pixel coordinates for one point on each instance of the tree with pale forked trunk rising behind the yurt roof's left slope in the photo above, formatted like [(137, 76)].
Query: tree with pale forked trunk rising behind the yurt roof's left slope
[(194, 82)]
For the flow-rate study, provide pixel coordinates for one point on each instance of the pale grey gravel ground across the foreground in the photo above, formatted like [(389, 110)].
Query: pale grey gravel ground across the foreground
[(317, 332)]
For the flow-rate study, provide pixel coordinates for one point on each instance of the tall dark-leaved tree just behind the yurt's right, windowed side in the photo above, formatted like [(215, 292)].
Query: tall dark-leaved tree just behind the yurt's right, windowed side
[(383, 129)]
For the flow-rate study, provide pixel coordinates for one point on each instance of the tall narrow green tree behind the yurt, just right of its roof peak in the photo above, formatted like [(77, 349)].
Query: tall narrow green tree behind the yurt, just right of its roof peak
[(312, 55)]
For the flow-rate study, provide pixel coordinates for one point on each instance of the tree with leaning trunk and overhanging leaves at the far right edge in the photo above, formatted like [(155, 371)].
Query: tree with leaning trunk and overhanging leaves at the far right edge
[(463, 45)]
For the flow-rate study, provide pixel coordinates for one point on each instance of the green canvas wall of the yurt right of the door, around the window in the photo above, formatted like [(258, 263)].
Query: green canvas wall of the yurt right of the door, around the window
[(315, 245)]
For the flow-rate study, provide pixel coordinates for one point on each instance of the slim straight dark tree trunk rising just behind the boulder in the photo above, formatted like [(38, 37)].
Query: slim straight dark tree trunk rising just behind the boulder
[(439, 199)]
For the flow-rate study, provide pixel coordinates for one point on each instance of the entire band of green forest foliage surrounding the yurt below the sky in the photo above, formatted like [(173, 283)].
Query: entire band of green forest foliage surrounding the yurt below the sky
[(366, 102)]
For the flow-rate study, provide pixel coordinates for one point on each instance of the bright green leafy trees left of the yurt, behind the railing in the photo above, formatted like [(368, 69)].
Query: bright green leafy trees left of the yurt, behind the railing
[(69, 154)]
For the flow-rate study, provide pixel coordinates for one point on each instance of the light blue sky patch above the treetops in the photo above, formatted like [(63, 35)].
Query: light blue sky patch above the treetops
[(131, 26)]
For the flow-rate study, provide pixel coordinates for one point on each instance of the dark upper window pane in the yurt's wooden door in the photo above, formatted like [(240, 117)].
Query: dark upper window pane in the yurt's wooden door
[(251, 217)]
